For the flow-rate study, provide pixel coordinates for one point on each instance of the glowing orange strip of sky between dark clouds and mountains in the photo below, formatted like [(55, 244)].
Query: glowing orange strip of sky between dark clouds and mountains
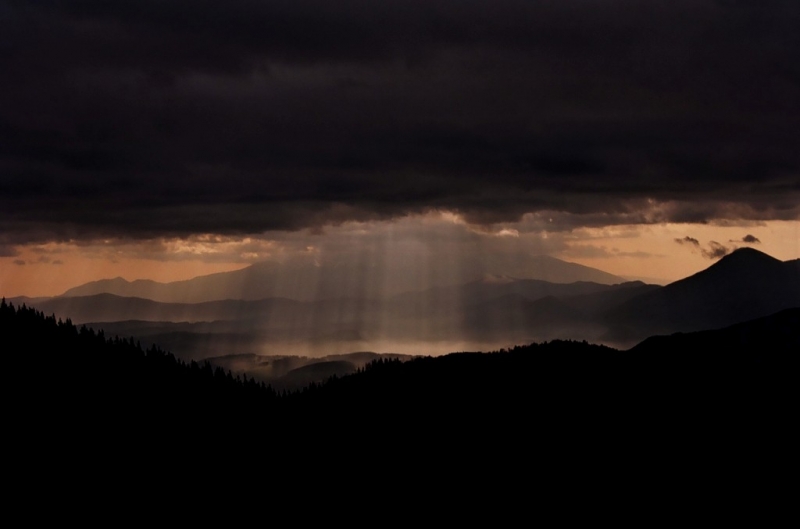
[(410, 246)]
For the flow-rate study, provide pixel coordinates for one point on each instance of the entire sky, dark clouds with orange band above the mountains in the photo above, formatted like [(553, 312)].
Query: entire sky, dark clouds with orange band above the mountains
[(168, 139)]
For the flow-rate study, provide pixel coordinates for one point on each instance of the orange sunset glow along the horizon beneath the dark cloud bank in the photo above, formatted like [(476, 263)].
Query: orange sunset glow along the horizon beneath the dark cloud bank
[(648, 252)]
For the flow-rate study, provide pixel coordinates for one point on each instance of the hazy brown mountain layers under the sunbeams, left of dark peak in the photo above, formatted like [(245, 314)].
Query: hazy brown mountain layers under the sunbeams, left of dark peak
[(265, 310)]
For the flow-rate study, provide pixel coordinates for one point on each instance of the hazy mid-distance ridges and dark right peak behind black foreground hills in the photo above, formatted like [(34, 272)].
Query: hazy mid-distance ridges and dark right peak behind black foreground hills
[(490, 313)]
